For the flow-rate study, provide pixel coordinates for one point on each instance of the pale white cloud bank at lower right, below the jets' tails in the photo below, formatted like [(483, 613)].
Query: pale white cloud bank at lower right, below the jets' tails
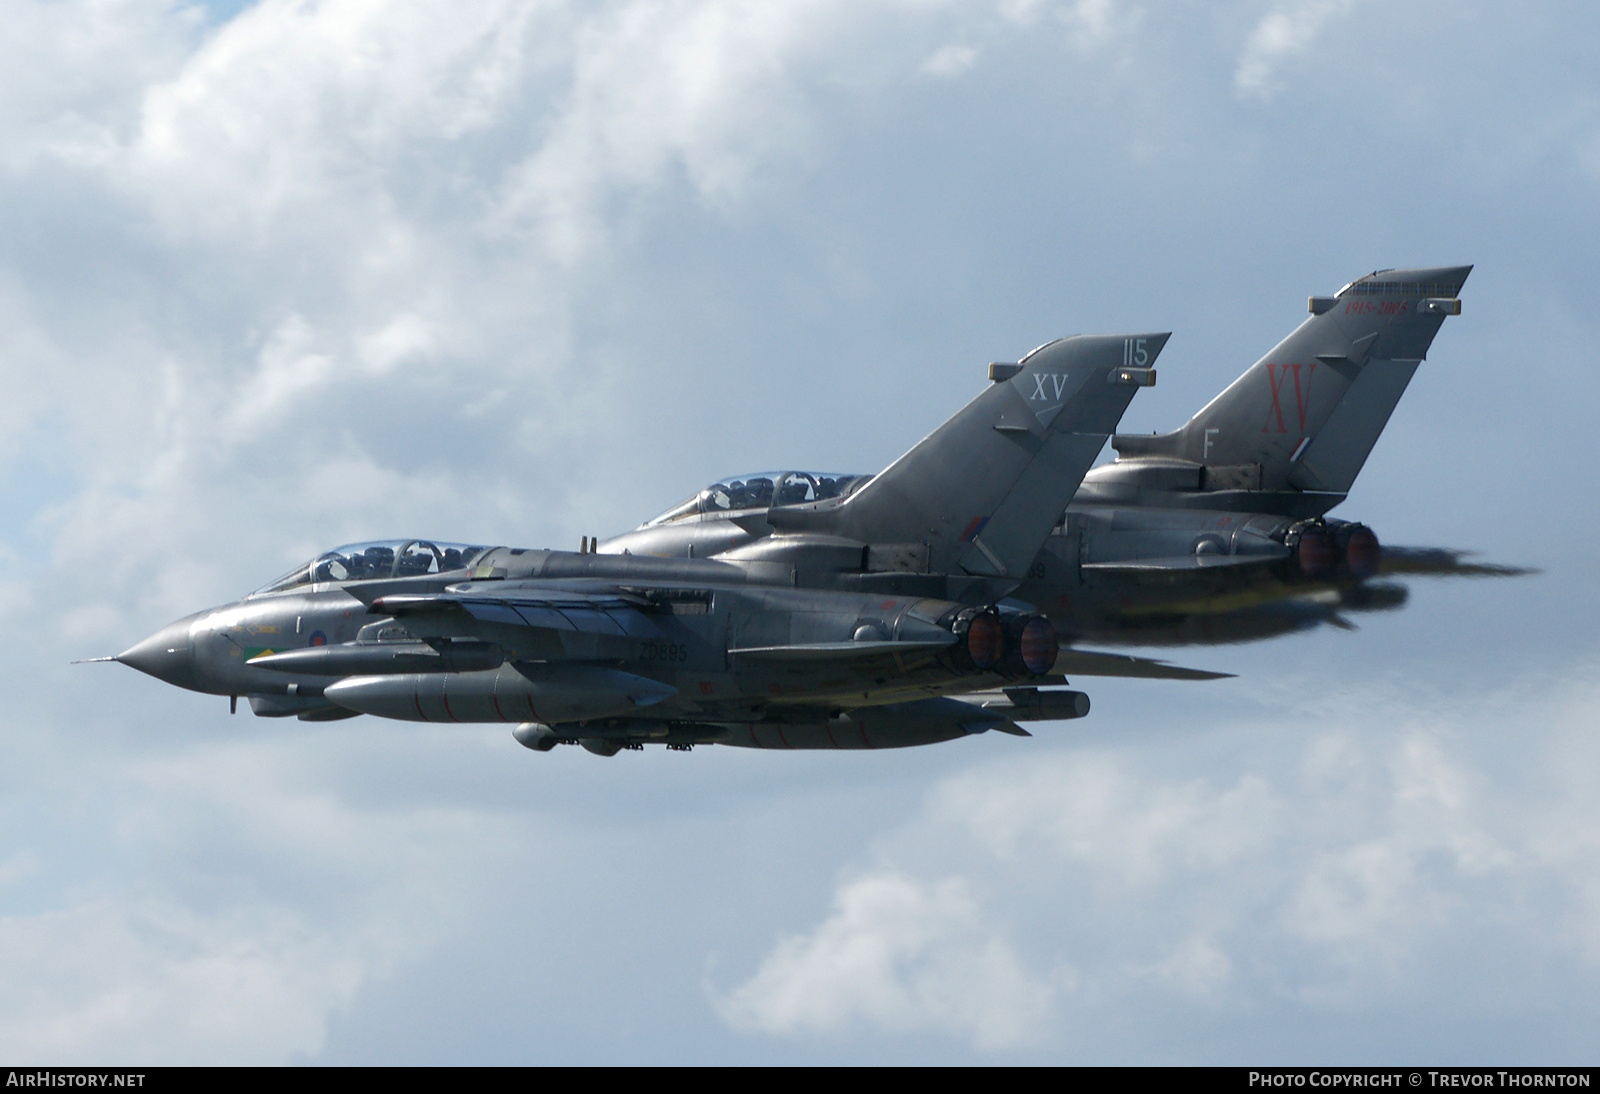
[(1026, 904)]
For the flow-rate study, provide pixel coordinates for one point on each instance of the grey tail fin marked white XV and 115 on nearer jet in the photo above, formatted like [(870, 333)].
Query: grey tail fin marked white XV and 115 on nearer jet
[(985, 490)]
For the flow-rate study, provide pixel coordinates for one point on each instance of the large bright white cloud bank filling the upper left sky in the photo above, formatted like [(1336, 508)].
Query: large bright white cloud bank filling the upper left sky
[(342, 249)]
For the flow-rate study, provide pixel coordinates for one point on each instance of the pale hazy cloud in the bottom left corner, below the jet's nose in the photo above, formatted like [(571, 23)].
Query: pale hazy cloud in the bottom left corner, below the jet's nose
[(279, 904)]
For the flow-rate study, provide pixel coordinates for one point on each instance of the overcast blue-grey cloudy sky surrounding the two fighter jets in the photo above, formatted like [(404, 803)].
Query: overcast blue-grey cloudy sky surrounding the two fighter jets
[(282, 276)]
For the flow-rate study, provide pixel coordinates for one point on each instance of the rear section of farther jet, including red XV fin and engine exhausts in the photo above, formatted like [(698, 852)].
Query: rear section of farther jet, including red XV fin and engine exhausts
[(1218, 532)]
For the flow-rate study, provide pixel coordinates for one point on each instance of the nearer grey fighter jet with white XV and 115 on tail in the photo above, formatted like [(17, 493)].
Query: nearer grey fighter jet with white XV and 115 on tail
[(614, 652)]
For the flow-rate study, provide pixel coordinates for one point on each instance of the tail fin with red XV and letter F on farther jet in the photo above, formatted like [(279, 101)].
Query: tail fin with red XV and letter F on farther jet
[(1306, 415)]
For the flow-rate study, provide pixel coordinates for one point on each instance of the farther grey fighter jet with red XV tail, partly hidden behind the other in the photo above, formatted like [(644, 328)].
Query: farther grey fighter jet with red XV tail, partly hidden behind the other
[(1214, 533)]
